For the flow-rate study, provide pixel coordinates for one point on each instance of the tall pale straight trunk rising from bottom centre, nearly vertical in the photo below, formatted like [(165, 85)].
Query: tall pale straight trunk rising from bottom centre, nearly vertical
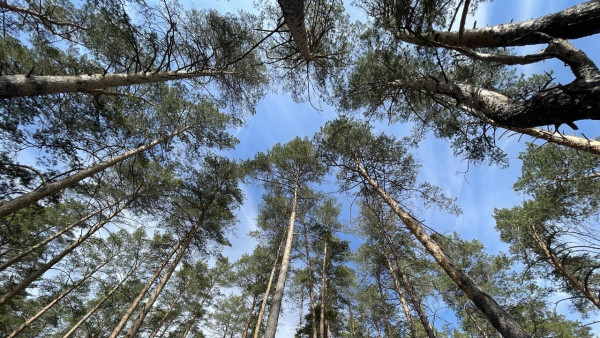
[(285, 265)]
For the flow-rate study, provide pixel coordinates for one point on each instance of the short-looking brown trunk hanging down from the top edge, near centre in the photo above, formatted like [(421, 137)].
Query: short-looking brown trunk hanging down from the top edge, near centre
[(293, 13)]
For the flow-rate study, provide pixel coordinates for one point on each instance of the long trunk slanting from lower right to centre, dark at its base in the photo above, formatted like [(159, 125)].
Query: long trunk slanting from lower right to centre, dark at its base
[(497, 316)]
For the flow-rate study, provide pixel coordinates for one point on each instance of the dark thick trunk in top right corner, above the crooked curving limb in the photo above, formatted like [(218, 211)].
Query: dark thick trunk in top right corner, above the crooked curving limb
[(575, 22)]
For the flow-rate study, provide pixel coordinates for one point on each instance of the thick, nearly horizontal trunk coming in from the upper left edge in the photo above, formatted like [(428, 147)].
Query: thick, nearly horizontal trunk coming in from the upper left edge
[(24, 85)]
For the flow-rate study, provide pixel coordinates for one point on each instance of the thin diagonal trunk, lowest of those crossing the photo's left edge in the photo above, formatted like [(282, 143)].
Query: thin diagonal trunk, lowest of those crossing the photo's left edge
[(27, 281)]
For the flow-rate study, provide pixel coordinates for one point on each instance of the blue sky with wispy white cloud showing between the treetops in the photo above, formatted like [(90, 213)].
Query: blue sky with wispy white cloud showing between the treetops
[(478, 189)]
